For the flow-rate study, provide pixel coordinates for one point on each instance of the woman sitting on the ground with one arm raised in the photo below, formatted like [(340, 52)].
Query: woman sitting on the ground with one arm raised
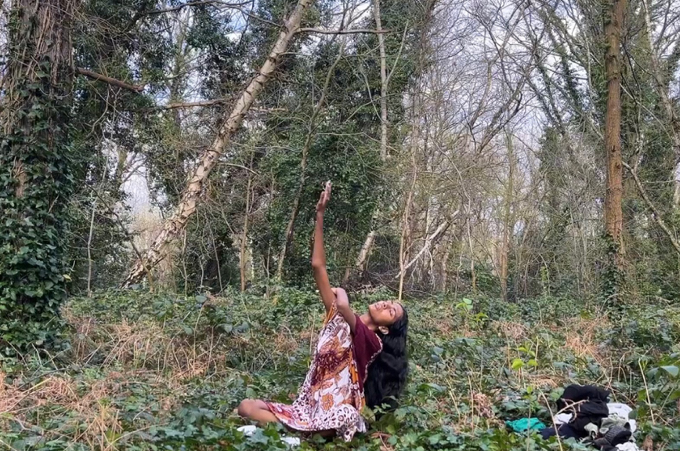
[(359, 360)]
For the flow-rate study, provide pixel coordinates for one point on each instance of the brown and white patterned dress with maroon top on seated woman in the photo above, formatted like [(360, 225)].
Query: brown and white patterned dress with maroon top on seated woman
[(332, 394)]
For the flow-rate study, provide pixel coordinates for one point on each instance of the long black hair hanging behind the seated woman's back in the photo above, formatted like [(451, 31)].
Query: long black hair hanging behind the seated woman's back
[(387, 374)]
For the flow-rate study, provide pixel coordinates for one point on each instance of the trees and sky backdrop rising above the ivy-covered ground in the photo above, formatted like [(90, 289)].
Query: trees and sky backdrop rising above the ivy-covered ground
[(465, 141)]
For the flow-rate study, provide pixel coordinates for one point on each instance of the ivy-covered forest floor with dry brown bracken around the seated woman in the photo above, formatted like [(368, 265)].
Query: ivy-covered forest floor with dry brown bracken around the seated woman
[(162, 372)]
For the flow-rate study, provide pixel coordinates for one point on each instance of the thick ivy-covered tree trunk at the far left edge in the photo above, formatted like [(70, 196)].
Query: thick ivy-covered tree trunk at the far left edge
[(35, 170)]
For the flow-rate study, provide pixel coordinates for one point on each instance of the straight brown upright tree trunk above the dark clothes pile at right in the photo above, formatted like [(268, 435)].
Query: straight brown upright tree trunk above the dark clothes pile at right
[(613, 215)]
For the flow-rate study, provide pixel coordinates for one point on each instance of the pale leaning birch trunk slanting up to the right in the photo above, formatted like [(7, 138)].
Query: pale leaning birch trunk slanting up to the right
[(174, 226)]
